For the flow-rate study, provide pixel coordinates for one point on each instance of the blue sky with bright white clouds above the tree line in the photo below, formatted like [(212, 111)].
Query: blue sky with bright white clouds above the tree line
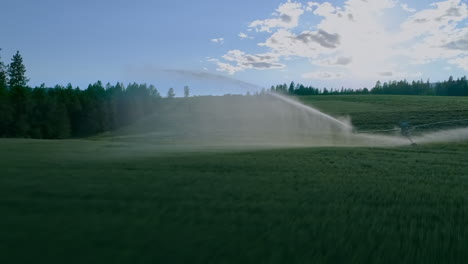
[(349, 43)]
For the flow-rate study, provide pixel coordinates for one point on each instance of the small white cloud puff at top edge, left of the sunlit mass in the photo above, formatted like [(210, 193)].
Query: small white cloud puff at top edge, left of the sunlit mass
[(286, 16)]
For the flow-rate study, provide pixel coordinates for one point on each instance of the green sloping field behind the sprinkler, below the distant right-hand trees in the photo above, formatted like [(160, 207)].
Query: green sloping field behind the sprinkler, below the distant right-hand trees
[(385, 111)]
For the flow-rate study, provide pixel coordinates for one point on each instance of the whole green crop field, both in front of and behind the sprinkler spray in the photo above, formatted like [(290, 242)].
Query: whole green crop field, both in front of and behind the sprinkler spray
[(112, 200)]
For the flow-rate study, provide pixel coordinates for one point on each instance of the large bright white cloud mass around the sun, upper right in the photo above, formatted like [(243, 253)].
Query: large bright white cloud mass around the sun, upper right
[(356, 40)]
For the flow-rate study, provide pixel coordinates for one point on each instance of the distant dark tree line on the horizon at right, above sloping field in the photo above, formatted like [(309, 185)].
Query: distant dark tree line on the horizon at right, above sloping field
[(451, 87)]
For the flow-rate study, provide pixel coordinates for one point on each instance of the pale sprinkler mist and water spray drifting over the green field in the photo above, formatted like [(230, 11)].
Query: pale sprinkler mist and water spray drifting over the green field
[(264, 120)]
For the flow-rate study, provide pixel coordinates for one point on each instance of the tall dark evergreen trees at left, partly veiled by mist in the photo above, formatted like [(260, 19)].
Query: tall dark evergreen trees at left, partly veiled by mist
[(63, 112)]
